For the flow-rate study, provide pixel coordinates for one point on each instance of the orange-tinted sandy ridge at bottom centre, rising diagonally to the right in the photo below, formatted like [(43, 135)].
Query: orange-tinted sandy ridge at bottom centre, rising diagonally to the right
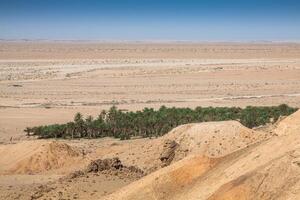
[(164, 183)]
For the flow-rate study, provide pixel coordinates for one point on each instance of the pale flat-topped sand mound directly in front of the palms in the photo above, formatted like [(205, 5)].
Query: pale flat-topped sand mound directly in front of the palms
[(214, 139)]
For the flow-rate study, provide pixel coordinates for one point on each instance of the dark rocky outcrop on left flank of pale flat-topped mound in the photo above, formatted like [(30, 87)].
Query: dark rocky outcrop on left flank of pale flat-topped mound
[(168, 153)]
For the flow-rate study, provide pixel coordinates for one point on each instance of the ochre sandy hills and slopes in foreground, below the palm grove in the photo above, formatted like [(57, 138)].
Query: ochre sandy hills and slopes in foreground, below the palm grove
[(213, 160)]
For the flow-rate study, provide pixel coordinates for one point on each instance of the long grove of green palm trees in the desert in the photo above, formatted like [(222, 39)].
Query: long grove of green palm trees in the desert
[(153, 123)]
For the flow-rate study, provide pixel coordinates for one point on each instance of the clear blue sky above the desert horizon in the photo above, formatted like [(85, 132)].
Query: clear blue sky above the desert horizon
[(193, 20)]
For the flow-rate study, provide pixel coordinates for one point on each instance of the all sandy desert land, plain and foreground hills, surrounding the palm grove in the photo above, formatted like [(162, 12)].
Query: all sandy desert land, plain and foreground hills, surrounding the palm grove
[(48, 82)]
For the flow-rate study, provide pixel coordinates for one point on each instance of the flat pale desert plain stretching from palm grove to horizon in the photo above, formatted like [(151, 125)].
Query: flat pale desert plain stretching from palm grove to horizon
[(44, 82)]
